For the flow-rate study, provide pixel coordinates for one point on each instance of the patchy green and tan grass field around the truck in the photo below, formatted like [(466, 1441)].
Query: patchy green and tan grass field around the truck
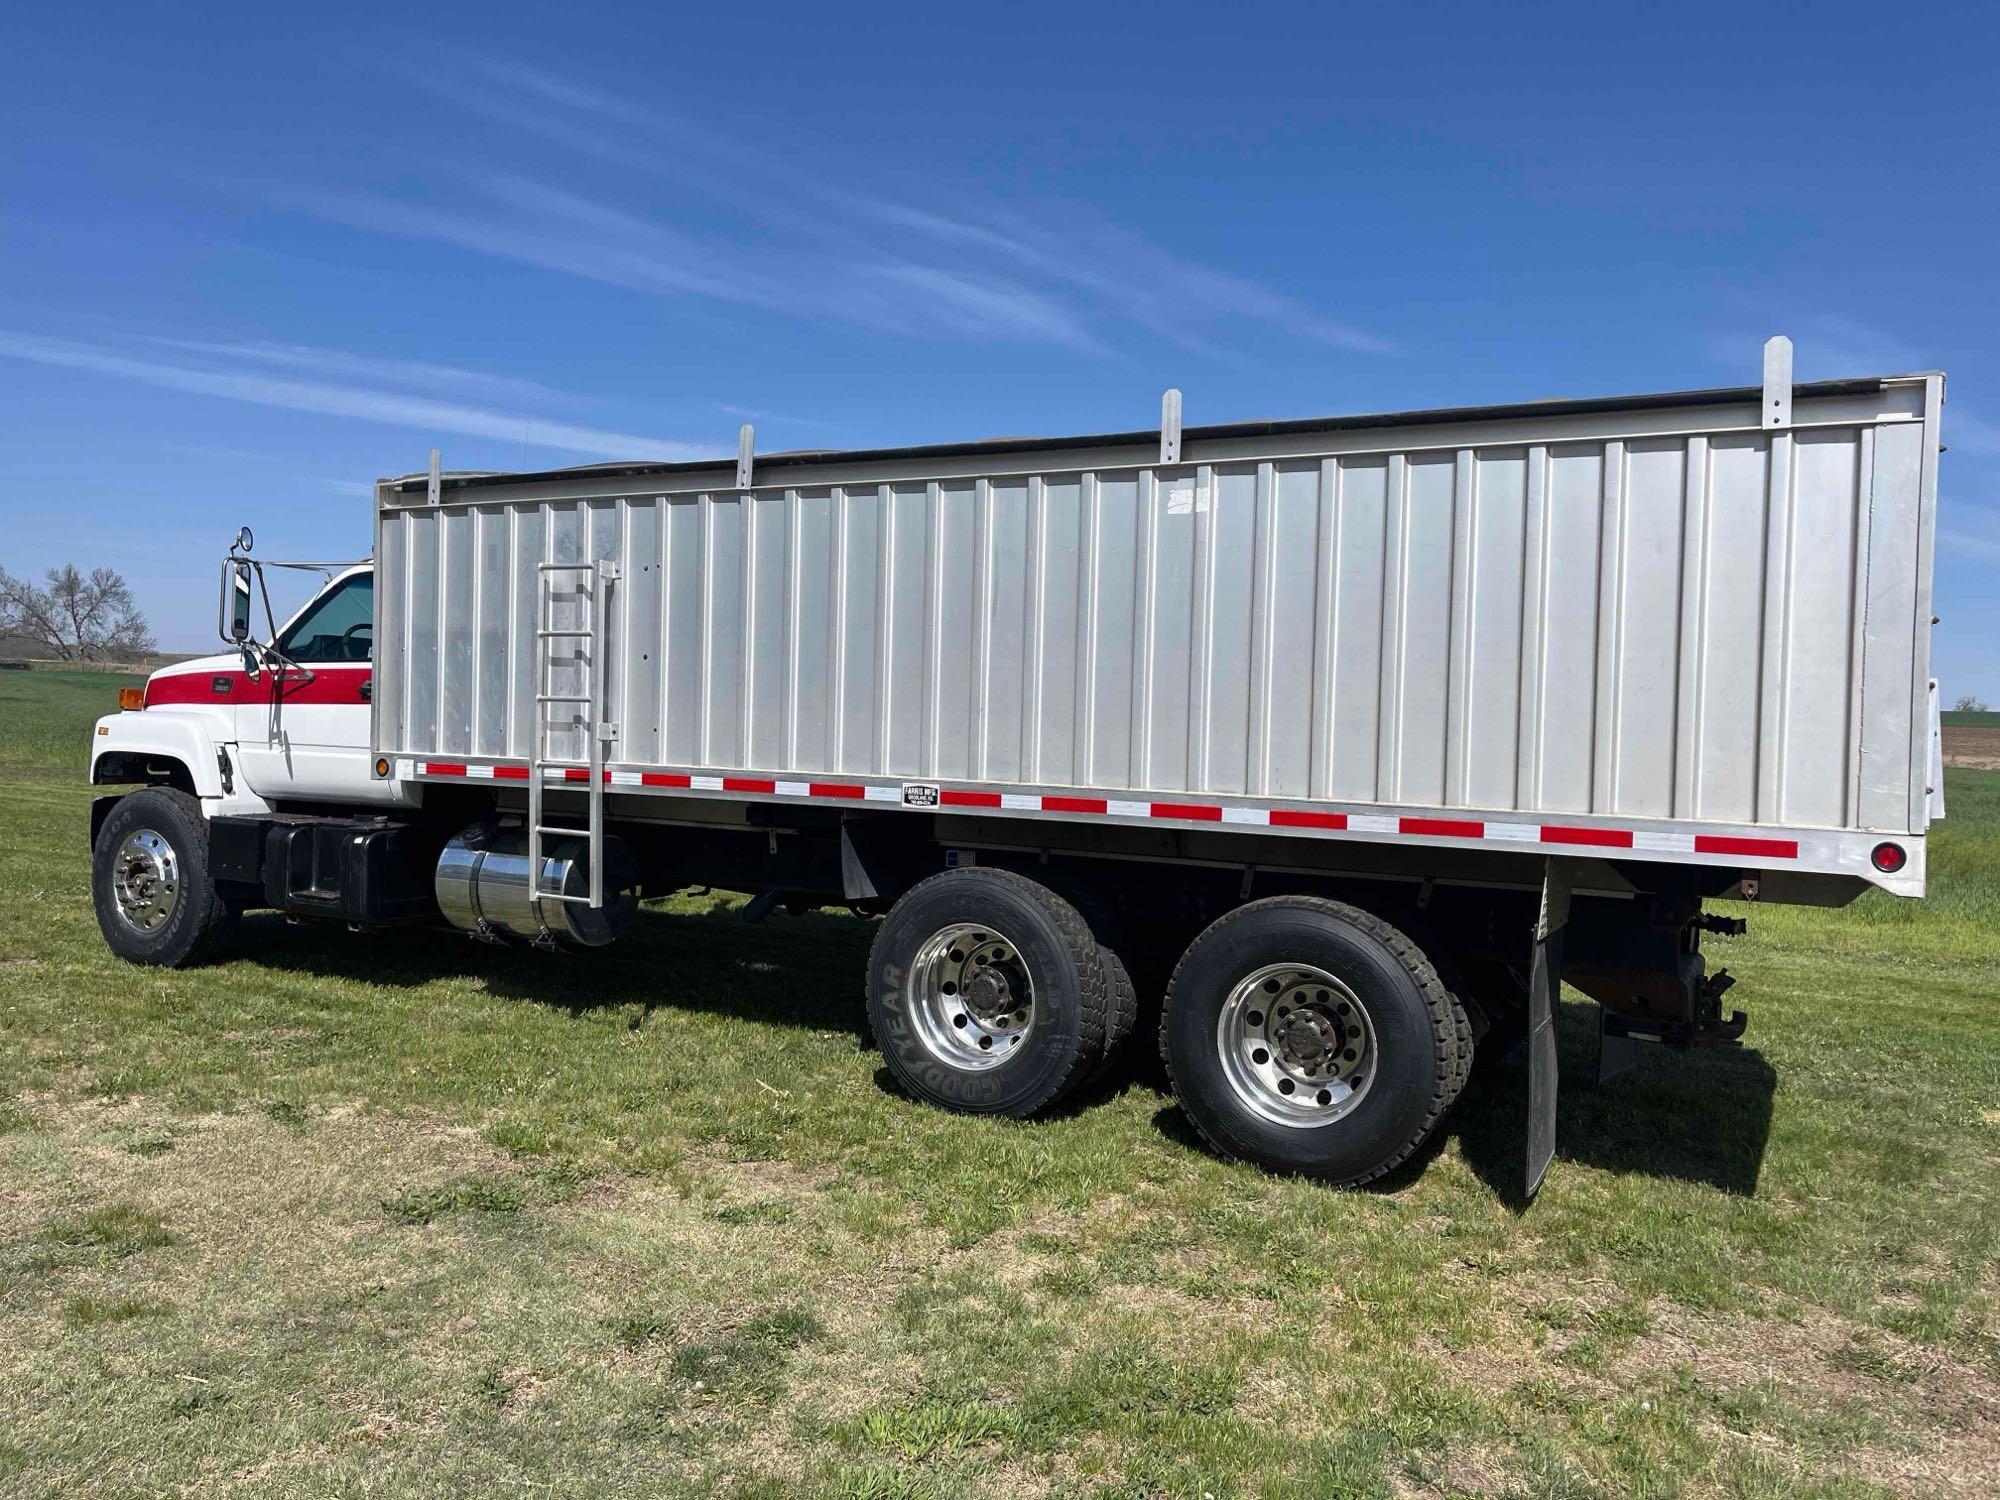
[(355, 1215)]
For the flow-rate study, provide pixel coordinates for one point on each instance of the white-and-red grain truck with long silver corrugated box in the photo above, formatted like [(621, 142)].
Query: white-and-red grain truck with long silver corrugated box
[(1329, 747)]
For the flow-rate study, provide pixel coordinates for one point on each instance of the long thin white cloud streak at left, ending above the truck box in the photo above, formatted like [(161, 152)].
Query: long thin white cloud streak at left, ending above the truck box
[(397, 409)]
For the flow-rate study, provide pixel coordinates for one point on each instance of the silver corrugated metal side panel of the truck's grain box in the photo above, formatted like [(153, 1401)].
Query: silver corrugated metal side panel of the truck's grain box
[(1675, 619)]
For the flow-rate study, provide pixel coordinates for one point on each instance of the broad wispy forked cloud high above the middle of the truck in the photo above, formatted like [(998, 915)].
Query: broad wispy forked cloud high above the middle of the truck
[(817, 243)]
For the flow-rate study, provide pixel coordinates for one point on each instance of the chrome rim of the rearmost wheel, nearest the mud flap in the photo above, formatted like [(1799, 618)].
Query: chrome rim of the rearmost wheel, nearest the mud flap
[(1297, 1045)]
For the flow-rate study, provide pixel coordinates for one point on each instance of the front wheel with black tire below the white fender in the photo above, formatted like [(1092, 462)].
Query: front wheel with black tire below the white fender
[(149, 881)]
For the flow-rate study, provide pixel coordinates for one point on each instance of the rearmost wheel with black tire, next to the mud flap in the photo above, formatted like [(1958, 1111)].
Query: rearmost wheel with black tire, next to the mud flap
[(1311, 1037)]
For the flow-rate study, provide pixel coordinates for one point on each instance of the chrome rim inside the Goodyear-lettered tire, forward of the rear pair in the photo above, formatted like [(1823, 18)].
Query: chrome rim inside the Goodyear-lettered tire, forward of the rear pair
[(969, 997)]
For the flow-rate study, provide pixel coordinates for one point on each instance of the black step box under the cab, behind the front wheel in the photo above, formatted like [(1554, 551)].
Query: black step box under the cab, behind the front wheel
[(369, 871)]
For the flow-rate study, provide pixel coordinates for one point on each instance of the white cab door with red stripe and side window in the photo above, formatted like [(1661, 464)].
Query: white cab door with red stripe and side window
[(303, 731)]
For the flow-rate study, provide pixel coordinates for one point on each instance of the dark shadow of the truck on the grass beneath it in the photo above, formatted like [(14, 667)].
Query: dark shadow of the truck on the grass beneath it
[(1685, 1117)]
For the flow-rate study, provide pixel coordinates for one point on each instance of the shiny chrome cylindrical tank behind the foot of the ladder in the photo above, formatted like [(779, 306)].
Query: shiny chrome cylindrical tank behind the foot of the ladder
[(485, 887)]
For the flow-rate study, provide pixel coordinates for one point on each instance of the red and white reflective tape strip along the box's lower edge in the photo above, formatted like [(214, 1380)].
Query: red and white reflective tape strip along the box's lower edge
[(929, 797)]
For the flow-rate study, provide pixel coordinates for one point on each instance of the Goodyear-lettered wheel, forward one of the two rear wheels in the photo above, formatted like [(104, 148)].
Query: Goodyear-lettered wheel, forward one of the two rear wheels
[(987, 993)]
